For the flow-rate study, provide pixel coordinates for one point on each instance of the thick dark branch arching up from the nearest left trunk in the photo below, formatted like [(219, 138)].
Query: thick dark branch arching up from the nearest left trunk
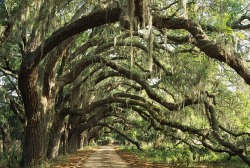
[(93, 20)]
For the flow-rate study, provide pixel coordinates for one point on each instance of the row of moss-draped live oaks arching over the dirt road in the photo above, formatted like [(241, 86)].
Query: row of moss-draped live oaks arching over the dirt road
[(84, 66)]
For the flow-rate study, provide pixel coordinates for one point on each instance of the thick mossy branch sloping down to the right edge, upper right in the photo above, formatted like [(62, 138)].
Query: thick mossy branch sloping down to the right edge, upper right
[(209, 47)]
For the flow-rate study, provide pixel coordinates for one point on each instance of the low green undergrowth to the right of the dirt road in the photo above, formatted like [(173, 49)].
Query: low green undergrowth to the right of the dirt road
[(185, 156)]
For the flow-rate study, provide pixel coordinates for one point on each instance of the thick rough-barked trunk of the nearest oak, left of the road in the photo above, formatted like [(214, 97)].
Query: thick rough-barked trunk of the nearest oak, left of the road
[(36, 126)]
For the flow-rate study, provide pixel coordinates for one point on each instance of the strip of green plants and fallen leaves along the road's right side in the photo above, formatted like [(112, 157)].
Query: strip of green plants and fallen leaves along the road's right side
[(178, 157)]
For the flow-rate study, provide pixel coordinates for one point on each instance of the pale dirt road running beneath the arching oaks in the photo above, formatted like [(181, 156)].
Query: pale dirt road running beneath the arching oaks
[(105, 157)]
